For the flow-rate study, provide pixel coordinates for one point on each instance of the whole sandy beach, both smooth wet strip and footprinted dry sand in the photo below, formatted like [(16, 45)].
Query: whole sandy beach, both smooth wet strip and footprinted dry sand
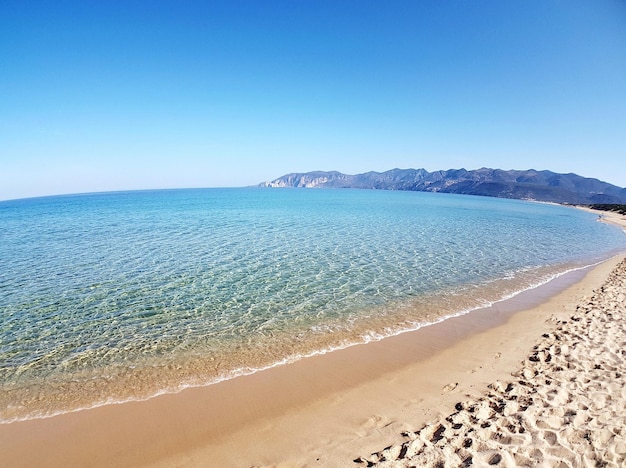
[(537, 380)]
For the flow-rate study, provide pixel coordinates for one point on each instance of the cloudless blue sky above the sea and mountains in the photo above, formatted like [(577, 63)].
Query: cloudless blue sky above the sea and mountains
[(111, 95)]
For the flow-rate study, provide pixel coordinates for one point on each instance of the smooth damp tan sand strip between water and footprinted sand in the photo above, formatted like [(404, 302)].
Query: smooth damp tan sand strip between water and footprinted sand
[(327, 409)]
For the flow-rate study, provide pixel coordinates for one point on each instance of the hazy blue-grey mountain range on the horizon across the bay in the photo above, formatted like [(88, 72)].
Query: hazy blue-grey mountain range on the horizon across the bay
[(529, 184)]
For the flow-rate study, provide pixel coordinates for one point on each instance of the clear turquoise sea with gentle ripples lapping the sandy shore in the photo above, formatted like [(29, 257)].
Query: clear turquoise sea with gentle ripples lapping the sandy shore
[(118, 296)]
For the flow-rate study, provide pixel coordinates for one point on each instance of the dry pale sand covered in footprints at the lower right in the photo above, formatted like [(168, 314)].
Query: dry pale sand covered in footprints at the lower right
[(566, 405)]
